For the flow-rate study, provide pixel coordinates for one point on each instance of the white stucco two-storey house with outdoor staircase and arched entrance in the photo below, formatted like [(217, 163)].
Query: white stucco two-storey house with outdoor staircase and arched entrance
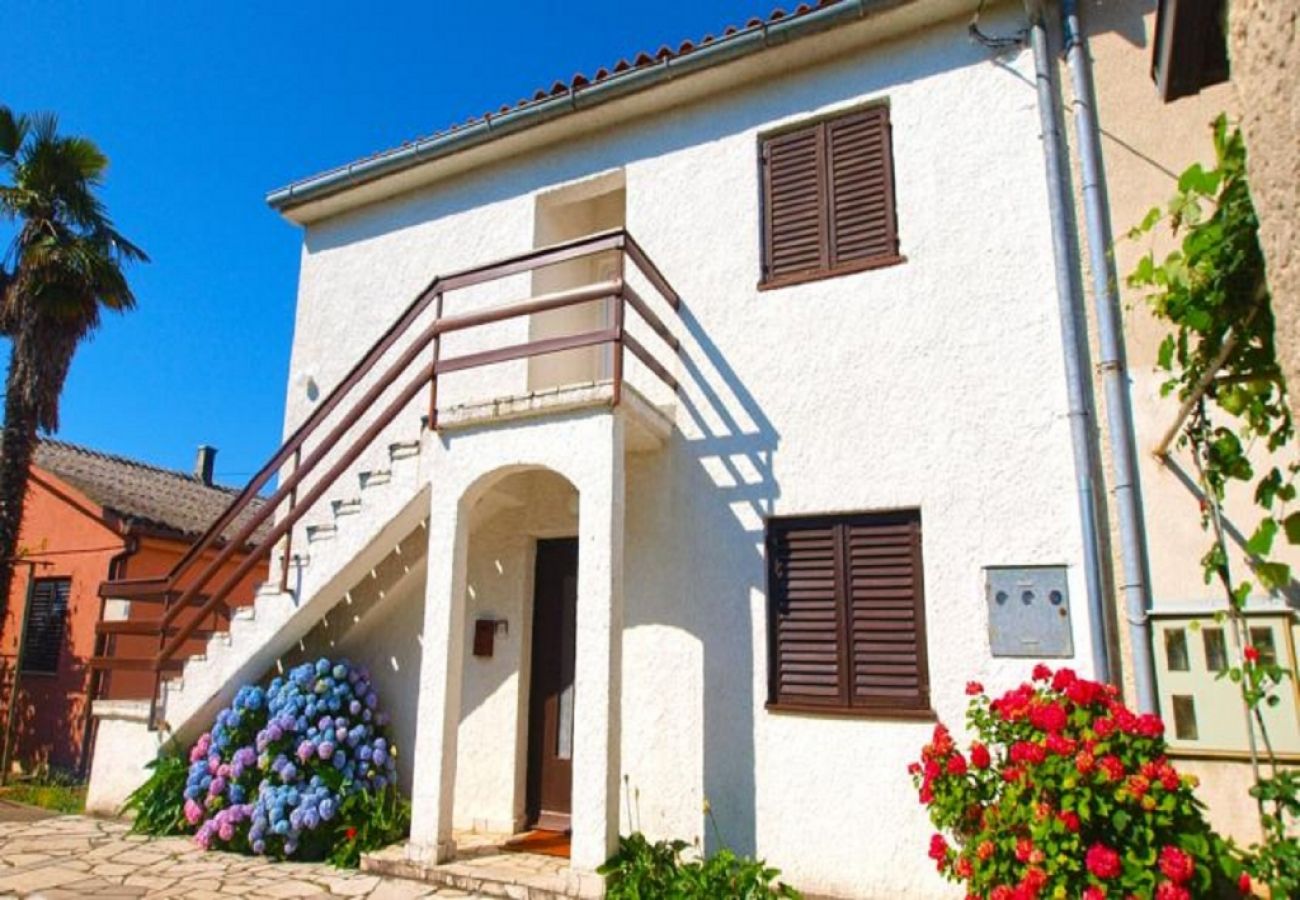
[(729, 435)]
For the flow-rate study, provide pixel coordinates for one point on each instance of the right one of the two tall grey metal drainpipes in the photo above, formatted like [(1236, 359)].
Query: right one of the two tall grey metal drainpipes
[(1115, 374)]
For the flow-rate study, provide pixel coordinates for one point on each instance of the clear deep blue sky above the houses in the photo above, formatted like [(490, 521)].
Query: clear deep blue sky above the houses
[(203, 109)]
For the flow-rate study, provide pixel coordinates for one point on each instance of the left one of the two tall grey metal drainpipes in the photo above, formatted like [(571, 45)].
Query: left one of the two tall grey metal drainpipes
[(1071, 302)]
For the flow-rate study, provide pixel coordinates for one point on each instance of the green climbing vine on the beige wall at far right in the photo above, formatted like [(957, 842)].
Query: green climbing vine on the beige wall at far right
[(1221, 364)]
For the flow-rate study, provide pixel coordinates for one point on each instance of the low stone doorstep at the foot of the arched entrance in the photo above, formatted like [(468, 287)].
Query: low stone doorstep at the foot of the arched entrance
[(483, 867)]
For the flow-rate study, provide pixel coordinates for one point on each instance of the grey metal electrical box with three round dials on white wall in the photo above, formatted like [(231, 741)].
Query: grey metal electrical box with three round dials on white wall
[(1029, 612)]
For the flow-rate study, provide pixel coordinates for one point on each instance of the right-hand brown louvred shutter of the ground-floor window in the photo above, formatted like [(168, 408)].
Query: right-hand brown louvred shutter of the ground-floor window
[(887, 612)]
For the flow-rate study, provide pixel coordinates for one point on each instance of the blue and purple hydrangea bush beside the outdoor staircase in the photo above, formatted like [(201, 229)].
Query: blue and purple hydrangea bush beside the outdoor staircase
[(301, 769)]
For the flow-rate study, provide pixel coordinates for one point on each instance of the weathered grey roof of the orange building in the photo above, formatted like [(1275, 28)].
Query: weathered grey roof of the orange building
[(146, 496)]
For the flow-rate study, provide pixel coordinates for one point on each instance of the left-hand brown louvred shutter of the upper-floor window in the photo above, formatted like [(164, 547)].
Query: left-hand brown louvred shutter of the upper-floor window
[(795, 205)]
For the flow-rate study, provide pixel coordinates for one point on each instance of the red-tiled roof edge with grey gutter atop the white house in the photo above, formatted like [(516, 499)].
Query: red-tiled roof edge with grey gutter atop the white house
[(421, 149)]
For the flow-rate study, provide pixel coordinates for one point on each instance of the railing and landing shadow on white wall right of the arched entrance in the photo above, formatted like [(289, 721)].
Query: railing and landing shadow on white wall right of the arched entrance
[(709, 496)]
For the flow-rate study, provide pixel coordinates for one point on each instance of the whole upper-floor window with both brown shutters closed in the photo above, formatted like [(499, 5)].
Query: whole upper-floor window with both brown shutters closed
[(829, 198)]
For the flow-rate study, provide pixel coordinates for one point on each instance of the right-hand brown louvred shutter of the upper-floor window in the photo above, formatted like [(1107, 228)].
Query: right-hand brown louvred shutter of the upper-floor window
[(861, 188)]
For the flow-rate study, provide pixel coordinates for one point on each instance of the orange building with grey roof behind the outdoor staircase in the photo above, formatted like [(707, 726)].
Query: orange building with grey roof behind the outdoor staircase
[(90, 517)]
